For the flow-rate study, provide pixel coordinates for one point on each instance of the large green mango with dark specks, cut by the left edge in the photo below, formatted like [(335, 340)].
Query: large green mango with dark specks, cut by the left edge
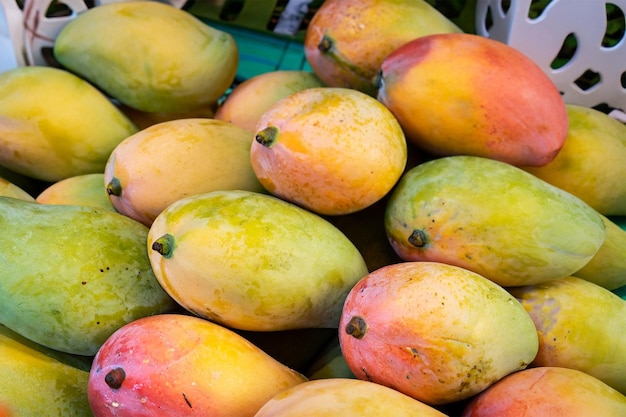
[(72, 275)]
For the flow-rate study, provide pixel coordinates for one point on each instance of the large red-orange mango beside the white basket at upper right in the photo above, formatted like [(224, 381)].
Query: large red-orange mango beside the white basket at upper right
[(501, 105)]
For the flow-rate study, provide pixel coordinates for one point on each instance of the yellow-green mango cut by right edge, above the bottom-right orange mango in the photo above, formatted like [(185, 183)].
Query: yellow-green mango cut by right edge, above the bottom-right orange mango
[(580, 326)]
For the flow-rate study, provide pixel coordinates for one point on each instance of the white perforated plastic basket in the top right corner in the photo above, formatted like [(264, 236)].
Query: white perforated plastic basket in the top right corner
[(578, 43)]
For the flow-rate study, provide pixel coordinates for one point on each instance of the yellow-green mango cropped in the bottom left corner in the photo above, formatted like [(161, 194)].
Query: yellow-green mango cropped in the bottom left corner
[(37, 381)]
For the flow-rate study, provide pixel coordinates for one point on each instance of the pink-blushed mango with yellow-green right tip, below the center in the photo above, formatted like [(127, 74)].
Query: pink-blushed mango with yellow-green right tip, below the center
[(435, 332)]
